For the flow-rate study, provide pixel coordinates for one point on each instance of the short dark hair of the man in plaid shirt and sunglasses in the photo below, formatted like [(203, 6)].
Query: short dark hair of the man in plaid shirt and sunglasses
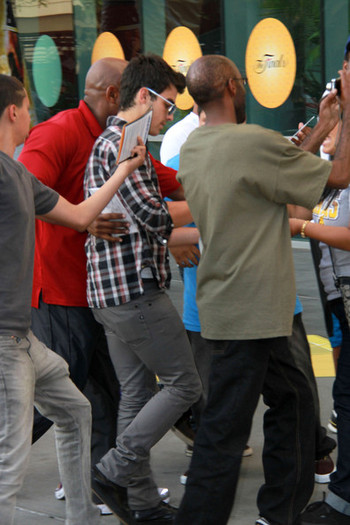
[(147, 71)]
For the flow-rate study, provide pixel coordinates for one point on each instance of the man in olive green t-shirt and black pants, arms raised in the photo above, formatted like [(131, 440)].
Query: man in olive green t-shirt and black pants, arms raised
[(238, 181)]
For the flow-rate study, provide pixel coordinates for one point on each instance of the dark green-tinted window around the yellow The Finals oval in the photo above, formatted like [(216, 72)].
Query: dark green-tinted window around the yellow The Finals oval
[(319, 29)]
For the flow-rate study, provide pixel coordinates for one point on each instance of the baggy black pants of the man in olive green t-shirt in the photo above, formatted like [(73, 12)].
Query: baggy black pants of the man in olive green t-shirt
[(240, 371)]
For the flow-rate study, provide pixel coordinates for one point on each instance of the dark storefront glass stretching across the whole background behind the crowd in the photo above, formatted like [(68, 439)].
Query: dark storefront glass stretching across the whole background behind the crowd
[(48, 44)]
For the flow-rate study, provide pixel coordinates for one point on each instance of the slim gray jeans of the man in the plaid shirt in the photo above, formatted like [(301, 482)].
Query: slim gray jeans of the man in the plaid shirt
[(146, 337)]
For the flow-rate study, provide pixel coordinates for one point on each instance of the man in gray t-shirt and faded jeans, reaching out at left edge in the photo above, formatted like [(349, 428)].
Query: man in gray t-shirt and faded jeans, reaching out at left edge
[(30, 373)]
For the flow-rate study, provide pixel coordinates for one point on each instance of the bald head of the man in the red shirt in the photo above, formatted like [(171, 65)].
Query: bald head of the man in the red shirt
[(102, 86)]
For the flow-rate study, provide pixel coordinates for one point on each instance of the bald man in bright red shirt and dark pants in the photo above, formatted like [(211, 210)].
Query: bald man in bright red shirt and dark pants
[(56, 152)]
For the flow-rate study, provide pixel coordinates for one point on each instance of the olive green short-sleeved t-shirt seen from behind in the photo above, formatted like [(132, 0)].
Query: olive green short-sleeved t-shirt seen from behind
[(237, 181)]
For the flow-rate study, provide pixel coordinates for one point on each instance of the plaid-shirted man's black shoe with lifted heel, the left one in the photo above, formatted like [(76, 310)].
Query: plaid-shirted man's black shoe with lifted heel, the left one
[(112, 495)]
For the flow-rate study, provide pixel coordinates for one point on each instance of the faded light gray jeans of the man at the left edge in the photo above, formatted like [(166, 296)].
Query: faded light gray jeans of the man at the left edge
[(31, 374)]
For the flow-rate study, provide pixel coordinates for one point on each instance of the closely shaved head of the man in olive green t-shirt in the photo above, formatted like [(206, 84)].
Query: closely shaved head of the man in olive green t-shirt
[(207, 77)]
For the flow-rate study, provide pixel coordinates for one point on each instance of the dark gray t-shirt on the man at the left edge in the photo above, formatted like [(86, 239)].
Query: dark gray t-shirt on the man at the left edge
[(22, 197)]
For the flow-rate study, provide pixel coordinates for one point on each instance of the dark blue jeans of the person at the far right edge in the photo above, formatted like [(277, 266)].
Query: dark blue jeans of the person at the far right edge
[(340, 480)]
